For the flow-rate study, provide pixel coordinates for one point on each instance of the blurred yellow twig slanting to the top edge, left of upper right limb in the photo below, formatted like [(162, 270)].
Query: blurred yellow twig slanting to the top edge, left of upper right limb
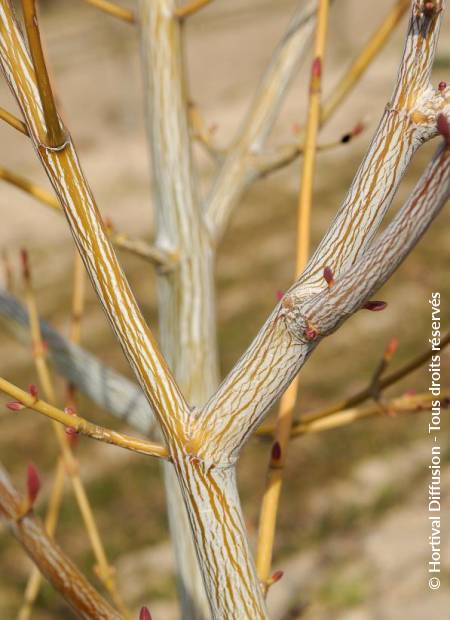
[(360, 64)]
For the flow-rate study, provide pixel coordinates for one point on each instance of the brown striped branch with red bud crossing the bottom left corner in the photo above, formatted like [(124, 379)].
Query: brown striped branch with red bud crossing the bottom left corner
[(49, 558)]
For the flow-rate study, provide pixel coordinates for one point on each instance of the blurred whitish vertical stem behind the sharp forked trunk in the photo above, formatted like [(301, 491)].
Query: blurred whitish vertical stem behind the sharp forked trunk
[(186, 294)]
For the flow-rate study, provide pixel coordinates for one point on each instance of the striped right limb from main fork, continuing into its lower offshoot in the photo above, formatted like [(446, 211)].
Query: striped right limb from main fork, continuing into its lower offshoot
[(298, 323)]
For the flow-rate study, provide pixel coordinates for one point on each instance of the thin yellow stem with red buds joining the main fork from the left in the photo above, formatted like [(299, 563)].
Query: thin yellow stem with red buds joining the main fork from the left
[(80, 425)]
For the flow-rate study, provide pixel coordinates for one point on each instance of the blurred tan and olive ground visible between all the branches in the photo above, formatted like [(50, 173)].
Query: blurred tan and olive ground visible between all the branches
[(353, 528)]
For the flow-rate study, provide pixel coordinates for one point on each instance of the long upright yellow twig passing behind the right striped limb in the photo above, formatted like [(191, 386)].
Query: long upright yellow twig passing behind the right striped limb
[(272, 492)]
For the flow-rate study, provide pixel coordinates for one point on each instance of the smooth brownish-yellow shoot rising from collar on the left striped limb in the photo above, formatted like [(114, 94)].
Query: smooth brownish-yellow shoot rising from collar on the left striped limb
[(56, 136)]
